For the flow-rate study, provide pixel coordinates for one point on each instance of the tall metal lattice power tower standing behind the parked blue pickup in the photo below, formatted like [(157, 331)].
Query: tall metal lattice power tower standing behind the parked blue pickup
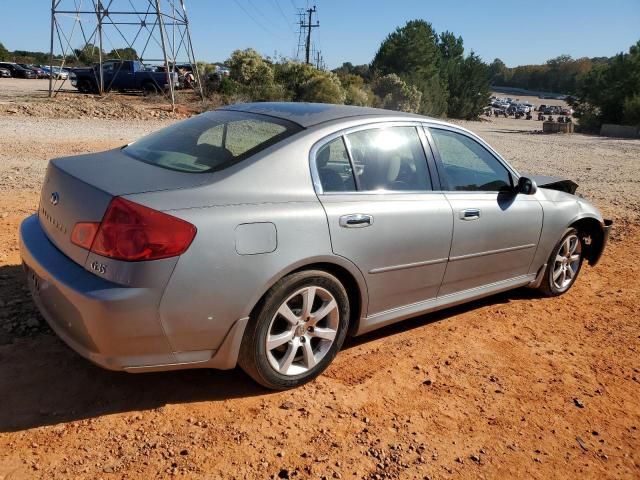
[(157, 30)]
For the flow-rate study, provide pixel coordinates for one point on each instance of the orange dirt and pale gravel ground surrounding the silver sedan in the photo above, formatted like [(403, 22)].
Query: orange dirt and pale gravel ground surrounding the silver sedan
[(511, 386)]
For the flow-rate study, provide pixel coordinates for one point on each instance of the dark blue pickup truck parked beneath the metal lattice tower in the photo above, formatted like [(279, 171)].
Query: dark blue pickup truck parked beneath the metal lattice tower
[(121, 75)]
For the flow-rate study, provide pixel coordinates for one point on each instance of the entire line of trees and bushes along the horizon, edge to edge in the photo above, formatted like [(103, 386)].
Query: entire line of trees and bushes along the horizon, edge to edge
[(415, 70)]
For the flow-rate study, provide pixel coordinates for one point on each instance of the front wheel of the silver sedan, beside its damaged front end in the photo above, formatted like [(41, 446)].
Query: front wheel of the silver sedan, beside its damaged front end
[(563, 265)]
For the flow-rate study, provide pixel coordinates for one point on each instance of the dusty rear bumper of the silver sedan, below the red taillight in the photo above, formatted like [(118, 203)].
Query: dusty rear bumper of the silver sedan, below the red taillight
[(113, 326)]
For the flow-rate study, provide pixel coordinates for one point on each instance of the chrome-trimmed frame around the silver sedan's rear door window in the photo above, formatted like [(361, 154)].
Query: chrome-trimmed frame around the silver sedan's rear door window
[(315, 175)]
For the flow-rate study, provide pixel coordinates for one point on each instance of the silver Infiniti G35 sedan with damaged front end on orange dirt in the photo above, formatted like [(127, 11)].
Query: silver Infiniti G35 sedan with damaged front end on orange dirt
[(264, 234)]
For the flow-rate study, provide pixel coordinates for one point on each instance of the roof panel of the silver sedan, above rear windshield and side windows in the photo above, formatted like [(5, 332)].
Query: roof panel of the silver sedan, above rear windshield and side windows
[(309, 114)]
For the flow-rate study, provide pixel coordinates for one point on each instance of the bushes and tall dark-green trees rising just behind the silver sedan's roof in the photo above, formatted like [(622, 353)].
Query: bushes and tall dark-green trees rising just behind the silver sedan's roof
[(415, 70)]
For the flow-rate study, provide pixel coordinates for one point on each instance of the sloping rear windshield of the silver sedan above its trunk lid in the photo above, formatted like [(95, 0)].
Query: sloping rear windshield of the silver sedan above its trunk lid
[(211, 141)]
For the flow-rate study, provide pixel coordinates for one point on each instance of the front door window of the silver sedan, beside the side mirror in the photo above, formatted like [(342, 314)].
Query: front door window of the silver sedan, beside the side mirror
[(468, 165)]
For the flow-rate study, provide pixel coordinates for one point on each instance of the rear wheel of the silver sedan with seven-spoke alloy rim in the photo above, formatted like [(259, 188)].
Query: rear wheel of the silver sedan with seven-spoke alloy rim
[(297, 331)]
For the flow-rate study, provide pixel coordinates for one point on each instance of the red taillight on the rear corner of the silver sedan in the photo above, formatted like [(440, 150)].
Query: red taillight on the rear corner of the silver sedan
[(133, 232)]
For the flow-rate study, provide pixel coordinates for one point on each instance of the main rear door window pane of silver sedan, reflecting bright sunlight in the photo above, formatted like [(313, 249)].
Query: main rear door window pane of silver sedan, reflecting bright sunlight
[(389, 158)]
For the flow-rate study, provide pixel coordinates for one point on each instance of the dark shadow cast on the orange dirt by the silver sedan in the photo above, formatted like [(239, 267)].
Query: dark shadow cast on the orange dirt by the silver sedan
[(43, 382)]
